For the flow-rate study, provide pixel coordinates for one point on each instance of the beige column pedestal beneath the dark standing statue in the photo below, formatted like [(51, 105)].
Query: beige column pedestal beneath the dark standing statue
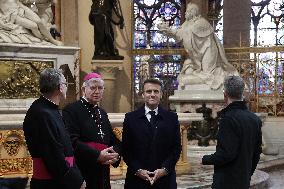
[(108, 69)]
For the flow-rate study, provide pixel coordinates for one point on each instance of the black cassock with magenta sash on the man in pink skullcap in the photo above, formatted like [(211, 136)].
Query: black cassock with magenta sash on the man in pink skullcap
[(90, 132)]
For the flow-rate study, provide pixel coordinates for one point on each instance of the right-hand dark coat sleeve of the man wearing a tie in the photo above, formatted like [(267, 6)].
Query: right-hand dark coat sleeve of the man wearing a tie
[(173, 157)]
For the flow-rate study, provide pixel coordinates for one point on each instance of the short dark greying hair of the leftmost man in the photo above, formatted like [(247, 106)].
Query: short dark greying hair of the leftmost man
[(50, 79)]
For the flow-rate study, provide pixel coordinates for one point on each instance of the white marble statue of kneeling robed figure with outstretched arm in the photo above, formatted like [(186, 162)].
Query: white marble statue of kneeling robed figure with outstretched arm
[(207, 63)]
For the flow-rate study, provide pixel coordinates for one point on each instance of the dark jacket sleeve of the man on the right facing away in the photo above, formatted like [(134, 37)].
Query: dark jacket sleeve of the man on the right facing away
[(227, 146)]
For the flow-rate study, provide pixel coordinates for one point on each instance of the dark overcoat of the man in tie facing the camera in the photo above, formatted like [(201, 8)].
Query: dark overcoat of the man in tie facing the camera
[(144, 148)]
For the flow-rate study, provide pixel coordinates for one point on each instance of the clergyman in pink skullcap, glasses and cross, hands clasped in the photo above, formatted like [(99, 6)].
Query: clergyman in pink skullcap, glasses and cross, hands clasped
[(95, 144)]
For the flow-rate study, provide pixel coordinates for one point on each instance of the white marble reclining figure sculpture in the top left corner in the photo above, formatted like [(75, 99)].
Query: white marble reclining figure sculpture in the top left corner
[(19, 24)]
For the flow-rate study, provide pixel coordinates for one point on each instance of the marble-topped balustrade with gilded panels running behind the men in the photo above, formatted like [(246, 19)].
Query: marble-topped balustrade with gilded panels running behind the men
[(15, 160)]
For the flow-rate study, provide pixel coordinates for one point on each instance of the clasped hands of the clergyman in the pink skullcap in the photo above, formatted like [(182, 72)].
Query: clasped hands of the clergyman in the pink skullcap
[(108, 156)]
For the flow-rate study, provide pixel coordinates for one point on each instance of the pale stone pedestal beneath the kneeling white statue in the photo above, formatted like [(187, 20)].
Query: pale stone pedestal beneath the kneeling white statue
[(194, 96)]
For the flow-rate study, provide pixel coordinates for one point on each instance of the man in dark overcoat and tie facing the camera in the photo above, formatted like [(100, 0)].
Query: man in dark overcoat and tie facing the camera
[(151, 142)]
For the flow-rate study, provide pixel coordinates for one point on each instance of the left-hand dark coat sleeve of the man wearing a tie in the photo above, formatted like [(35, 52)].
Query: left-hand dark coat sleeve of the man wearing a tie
[(132, 163)]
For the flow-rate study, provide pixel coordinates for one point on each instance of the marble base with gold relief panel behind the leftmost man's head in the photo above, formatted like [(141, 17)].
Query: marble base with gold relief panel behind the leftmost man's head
[(20, 68)]
